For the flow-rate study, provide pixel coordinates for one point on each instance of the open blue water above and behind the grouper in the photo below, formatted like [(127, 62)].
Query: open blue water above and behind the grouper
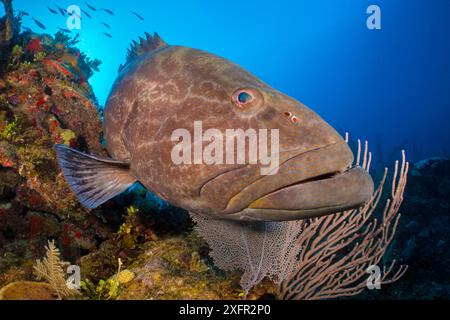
[(391, 86)]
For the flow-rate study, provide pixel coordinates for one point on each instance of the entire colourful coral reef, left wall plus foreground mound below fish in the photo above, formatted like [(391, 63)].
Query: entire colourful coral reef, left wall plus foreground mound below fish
[(134, 247)]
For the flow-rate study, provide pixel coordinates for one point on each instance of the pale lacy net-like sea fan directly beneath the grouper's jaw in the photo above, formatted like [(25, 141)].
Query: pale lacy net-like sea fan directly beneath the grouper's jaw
[(259, 249)]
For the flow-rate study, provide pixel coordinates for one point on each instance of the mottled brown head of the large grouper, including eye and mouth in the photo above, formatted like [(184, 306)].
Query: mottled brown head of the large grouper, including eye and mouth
[(305, 172)]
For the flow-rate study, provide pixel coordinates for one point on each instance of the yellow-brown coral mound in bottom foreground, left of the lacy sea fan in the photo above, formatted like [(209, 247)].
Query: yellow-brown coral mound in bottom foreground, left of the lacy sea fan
[(155, 263)]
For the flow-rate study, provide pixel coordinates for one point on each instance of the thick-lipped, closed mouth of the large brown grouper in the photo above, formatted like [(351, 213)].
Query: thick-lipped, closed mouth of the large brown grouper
[(336, 188)]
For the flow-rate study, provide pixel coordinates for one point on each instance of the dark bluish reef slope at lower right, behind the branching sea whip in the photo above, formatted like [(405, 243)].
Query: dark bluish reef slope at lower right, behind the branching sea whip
[(422, 236)]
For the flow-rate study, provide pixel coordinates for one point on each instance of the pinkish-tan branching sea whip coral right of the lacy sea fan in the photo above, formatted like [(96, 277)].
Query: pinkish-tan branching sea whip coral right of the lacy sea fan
[(323, 271)]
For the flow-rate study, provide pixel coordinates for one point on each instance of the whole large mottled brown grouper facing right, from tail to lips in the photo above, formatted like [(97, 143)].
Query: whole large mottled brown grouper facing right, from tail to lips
[(164, 88)]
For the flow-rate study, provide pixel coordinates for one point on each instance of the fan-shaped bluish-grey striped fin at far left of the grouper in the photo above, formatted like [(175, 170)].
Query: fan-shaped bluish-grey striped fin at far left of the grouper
[(94, 180)]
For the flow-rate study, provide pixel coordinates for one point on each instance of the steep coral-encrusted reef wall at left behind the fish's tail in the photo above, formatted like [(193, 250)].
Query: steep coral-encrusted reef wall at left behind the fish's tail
[(44, 99)]
